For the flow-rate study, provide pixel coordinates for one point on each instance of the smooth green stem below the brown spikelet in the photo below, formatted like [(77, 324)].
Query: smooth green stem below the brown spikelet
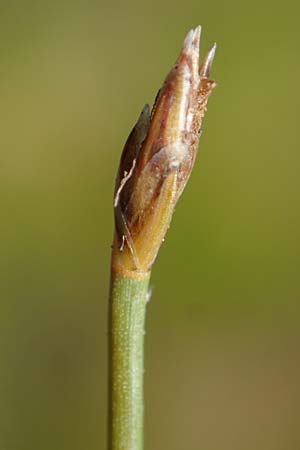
[(127, 308)]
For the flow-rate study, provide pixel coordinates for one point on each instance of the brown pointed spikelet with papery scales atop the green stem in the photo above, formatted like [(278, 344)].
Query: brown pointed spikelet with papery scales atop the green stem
[(158, 158)]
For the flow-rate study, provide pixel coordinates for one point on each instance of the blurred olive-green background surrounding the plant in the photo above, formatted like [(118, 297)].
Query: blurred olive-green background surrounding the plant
[(222, 342)]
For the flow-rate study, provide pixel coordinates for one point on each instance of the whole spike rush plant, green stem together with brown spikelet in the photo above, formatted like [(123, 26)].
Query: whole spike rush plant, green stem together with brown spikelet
[(155, 166)]
